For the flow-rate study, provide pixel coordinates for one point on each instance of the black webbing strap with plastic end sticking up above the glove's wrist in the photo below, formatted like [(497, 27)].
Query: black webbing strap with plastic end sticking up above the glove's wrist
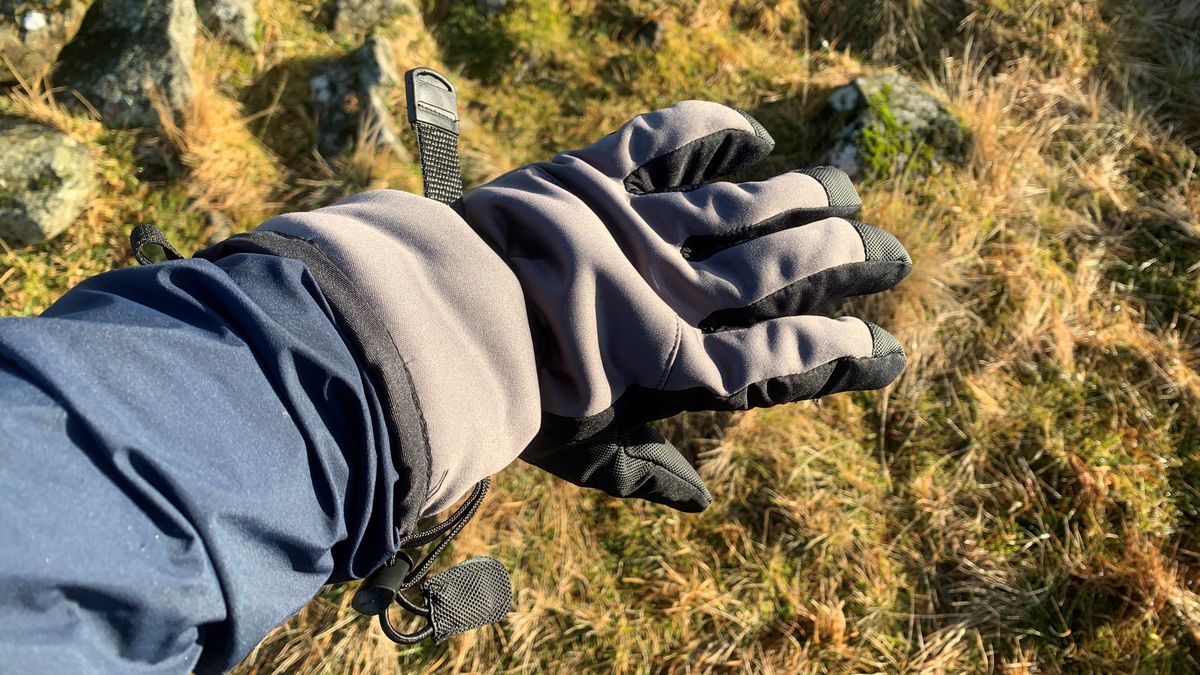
[(434, 114)]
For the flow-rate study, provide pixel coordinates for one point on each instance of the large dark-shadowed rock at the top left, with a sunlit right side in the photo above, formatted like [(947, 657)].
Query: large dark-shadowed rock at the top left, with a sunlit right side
[(127, 53)]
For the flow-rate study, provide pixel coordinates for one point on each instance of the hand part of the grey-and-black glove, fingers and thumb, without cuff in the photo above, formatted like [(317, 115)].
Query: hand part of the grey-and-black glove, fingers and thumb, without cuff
[(655, 291)]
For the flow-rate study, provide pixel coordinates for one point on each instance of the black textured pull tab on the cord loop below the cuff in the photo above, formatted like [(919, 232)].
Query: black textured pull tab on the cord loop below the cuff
[(470, 595)]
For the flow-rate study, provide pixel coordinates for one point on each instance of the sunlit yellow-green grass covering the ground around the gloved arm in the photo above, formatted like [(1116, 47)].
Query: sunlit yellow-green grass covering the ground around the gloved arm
[(1025, 499)]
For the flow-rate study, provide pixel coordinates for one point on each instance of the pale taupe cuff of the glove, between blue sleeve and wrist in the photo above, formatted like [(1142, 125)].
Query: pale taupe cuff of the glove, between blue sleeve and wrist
[(453, 314)]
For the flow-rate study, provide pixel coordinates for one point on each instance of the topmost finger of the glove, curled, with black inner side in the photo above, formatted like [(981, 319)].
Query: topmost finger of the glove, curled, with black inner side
[(680, 148)]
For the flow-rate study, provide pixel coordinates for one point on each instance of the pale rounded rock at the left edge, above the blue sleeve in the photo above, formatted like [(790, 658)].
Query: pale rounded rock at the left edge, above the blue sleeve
[(46, 181)]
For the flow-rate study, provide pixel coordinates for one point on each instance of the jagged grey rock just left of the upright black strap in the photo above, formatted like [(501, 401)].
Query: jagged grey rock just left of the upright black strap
[(350, 98)]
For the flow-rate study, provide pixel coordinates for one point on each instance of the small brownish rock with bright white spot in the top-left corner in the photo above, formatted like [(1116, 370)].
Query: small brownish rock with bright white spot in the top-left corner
[(33, 33)]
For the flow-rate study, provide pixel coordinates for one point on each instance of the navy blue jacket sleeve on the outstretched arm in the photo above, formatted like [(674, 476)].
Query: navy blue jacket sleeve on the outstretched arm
[(189, 451)]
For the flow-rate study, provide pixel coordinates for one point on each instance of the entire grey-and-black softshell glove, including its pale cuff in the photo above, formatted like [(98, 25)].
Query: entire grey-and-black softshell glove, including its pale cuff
[(578, 300)]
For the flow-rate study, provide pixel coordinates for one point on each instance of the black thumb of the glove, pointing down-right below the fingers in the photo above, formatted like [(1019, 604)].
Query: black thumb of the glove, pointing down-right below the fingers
[(639, 463)]
